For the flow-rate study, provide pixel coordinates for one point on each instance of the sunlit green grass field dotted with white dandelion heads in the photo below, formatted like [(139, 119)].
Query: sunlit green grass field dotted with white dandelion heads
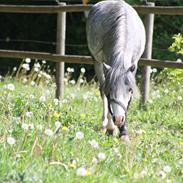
[(44, 140)]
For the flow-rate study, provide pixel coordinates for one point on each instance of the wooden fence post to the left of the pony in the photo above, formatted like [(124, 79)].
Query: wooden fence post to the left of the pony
[(60, 49)]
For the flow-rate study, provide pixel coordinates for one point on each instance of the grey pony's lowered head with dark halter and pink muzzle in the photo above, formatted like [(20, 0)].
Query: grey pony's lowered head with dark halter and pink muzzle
[(118, 87)]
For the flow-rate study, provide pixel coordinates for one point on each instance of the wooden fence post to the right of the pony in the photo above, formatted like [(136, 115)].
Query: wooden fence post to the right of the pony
[(149, 26)]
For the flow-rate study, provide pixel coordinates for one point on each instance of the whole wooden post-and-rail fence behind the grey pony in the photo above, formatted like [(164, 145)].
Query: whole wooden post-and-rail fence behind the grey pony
[(150, 10)]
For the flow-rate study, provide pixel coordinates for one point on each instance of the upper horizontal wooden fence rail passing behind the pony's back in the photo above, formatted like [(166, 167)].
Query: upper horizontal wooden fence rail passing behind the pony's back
[(158, 10)]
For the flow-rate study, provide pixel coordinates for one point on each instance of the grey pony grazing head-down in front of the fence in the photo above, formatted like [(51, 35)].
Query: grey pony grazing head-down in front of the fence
[(116, 40)]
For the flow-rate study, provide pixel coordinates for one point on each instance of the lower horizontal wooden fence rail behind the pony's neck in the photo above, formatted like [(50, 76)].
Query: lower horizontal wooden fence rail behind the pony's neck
[(76, 59)]
